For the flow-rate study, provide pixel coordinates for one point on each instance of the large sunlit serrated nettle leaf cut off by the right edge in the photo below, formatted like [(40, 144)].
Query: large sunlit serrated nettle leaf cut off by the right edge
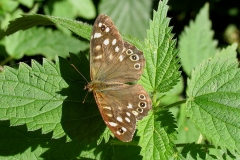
[(213, 102)]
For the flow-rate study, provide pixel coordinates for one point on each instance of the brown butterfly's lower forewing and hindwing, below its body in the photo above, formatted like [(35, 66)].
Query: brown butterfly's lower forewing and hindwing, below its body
[(120, 112)]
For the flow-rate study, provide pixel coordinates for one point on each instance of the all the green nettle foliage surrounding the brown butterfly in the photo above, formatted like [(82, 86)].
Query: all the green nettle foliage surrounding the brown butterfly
[(192, 77)]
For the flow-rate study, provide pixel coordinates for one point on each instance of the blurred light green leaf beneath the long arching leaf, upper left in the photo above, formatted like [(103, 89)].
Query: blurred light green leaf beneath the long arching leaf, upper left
[(42, 41)]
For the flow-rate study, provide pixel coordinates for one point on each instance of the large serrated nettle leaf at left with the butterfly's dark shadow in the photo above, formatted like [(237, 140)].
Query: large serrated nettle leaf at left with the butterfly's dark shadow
[(49, 96)]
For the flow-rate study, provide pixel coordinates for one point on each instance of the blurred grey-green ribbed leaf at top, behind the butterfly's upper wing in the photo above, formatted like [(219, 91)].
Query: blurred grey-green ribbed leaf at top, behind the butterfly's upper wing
[(133, 19)]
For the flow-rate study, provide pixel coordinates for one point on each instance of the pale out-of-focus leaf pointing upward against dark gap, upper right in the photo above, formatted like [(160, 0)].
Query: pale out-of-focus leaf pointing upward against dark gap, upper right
[(196, 43)]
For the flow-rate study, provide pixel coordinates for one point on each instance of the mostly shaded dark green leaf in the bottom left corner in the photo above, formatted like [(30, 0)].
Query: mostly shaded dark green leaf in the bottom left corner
[(17, 143)]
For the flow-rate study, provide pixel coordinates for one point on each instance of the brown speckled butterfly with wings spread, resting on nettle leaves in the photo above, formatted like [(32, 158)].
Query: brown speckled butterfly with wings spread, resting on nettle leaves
[(114, 64)]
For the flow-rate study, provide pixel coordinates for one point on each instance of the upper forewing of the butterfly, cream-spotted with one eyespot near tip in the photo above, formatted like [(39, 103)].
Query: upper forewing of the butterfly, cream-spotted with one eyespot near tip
[(105, 41)]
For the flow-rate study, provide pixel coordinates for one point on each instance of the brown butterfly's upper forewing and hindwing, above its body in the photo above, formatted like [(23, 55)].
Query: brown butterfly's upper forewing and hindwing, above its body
[(112, 59)]
